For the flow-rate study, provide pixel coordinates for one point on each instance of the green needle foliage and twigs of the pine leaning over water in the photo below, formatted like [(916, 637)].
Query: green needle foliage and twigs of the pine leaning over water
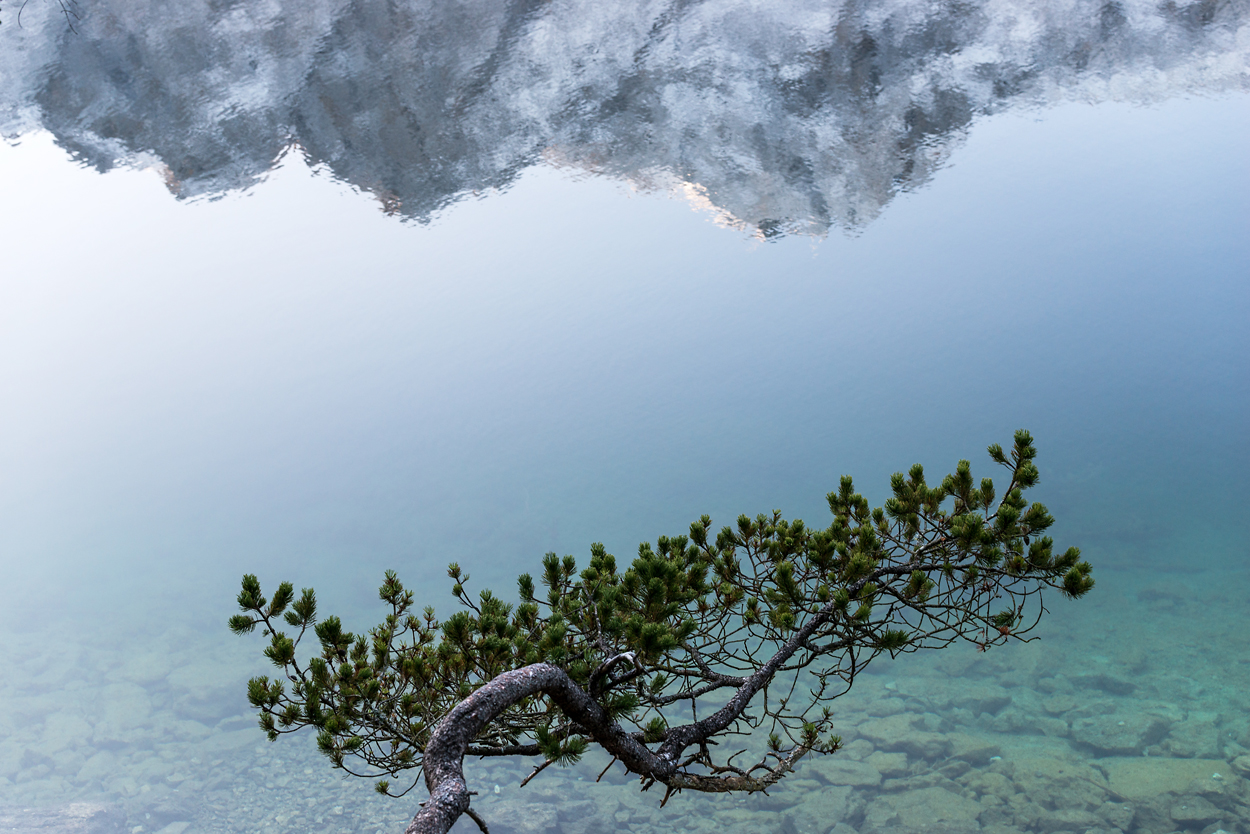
[(692, 617)]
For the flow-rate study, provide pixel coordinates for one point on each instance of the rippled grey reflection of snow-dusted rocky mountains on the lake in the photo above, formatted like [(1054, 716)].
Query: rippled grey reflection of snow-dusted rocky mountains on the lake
[(783, 117)]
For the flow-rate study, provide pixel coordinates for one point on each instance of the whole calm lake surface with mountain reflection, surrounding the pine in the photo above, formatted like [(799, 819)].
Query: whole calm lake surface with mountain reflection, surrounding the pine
[(319, 289)]
